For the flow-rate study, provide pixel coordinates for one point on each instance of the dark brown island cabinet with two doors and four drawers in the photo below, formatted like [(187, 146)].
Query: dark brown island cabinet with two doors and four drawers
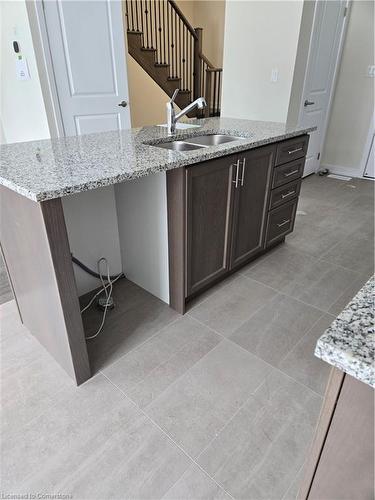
[(224, 212)]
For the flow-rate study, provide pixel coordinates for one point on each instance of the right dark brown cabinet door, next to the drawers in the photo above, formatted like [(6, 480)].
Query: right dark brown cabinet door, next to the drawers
[(250, 203)]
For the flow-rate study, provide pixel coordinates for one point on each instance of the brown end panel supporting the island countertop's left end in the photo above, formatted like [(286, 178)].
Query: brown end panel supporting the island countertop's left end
[(37, 255)]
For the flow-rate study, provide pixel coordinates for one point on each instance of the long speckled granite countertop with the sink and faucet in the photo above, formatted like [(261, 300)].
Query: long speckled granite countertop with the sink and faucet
[(52, 168)]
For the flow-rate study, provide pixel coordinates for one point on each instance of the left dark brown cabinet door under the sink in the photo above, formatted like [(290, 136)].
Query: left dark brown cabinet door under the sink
[(209, 199)]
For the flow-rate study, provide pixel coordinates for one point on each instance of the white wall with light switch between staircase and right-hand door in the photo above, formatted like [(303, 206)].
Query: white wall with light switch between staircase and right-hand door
[(259, 36)]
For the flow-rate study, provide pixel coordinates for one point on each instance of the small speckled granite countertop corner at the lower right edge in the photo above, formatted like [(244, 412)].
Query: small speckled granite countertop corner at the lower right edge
[(349, 342)]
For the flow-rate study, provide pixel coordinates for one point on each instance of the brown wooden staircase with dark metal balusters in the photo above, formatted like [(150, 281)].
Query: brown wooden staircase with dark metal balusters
[(169, 49)]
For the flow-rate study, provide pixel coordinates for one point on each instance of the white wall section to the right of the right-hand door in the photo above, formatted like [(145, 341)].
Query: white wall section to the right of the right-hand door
[(353, 101)]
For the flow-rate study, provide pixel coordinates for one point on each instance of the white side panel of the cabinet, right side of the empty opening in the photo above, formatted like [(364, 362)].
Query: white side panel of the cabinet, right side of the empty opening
[(143, 229)]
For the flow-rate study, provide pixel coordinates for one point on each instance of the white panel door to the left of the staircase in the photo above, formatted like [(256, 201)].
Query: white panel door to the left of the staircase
[(87, 44)]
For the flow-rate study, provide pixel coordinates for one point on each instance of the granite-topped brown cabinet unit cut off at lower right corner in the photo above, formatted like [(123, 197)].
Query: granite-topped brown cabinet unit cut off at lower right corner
[(341, 462)]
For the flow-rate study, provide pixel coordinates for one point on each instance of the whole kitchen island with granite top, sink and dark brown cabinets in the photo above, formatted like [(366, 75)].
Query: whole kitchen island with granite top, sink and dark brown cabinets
[(225, 205)]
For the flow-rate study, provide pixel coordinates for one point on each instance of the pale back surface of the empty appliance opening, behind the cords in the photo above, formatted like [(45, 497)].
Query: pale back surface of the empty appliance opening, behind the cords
[(91, 223)]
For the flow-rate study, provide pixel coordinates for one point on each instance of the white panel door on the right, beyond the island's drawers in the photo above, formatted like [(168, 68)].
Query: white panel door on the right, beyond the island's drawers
[(322, 62)]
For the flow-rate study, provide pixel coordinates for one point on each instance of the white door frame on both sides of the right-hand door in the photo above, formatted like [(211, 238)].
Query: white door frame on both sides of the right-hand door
[(346, 8)]
